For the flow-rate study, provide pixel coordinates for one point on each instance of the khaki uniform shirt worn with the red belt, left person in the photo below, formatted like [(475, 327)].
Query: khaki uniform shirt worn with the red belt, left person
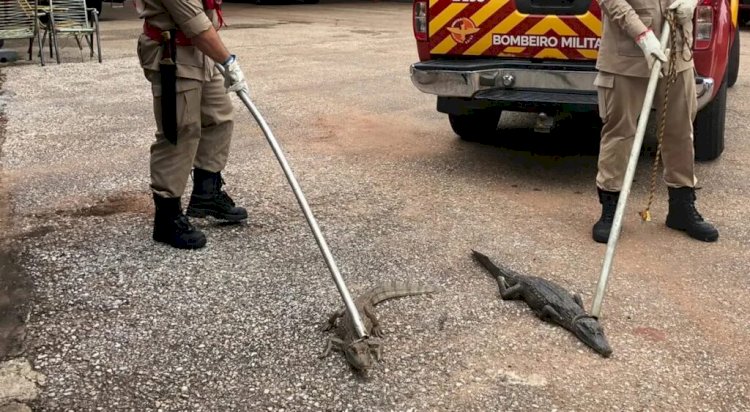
[(187, 16)]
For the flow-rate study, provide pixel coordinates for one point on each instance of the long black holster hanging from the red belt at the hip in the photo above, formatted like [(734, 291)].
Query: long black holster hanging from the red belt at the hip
[(168, 75)]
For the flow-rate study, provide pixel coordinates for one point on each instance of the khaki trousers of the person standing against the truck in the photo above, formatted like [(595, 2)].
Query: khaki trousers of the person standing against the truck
[(620, 103)]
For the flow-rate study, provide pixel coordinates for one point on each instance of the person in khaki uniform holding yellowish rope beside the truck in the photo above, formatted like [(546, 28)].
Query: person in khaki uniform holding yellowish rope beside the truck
[(630, 33)]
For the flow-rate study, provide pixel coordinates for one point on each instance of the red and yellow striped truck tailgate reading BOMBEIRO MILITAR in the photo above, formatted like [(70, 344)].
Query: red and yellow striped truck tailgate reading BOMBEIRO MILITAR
[(529, 29)]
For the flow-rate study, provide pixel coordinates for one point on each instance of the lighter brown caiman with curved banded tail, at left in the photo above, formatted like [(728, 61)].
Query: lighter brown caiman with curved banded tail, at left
[(362, 353)]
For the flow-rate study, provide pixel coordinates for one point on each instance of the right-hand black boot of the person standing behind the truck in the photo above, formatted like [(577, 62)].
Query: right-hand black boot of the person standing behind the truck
[(683, 215)]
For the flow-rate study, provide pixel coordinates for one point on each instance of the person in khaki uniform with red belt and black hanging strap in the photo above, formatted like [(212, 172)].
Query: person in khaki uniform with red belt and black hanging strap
[(194, 114)]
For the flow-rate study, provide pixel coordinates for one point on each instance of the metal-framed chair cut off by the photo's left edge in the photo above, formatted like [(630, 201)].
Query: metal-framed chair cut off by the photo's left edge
[(19, 19)]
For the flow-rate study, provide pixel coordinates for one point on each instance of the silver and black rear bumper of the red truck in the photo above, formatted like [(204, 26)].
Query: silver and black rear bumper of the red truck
[(520, 82)]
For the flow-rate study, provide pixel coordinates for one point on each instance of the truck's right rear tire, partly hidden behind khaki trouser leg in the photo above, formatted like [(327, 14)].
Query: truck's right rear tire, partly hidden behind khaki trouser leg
[(708, 128)]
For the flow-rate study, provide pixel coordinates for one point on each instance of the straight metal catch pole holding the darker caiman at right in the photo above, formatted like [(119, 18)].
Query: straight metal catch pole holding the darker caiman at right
[(614, 234)]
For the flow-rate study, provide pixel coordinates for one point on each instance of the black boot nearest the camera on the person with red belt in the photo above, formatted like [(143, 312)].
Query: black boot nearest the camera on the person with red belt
[(172, 227)]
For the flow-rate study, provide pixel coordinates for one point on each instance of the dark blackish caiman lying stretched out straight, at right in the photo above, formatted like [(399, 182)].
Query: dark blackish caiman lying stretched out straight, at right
[(550, 302)]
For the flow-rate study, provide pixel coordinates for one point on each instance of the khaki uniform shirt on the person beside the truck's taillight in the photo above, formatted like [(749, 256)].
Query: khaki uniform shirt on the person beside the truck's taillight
[(623, 21)]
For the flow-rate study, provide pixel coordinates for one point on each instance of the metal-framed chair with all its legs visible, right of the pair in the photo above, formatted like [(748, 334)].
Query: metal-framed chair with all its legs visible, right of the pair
[(73, 18)]
